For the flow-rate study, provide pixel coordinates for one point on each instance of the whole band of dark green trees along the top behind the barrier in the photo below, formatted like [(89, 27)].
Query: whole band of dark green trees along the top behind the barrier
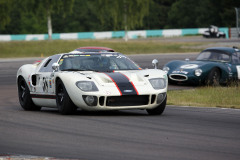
[(63, 16)]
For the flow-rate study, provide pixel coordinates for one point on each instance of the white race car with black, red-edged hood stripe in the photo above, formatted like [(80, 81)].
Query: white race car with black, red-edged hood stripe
[(91, 81)]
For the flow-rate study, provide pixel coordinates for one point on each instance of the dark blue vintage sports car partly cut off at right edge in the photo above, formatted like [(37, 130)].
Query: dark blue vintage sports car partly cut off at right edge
[(213, 66)]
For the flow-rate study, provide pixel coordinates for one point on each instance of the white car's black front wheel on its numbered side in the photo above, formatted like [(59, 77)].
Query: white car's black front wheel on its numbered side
[(64, 103)]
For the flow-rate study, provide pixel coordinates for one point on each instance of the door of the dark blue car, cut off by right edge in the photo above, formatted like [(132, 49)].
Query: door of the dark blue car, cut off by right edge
[(236, 65)]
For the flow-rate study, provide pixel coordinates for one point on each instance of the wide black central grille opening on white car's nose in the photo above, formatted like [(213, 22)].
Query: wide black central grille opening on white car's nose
[(127, 100)]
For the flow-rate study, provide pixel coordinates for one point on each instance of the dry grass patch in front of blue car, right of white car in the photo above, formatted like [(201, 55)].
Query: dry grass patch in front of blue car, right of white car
[(226, 97)]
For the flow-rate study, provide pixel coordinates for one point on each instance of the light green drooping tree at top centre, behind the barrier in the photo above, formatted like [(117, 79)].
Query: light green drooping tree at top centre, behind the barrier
[(119, 13)]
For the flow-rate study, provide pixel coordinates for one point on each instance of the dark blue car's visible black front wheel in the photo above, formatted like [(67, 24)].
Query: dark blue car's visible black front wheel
[(213, 78)]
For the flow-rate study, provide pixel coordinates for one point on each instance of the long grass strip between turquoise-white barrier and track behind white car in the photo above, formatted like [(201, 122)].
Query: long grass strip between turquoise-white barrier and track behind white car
[(46, 48)]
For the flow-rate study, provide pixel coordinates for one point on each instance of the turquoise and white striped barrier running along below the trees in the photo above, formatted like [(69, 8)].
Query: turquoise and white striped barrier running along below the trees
[(110, 34)]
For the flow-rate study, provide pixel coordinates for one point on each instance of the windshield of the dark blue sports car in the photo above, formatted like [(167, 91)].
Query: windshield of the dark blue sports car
[(213, 56)]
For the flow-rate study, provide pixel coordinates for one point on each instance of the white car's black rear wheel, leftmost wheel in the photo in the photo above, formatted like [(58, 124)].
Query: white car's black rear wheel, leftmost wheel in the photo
[(24, 96)]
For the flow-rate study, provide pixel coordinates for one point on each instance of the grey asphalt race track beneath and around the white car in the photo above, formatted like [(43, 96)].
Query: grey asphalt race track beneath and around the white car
[(181, 133)]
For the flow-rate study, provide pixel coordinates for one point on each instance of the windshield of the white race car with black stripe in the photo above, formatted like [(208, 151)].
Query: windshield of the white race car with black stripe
[(96, 62)]
